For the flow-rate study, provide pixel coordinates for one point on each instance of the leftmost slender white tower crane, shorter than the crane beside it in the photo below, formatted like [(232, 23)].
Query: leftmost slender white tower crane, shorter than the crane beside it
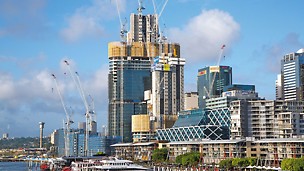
[(67, 123)]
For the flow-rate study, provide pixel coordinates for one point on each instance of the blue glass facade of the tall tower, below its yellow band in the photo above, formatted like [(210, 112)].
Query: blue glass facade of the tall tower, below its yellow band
[(126, 93)]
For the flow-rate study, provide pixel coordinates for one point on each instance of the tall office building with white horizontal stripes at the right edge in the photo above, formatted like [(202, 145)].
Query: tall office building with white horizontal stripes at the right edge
[(292, 71)]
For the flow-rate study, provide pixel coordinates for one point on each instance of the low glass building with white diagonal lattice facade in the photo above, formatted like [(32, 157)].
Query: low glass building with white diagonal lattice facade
[(198, 124)]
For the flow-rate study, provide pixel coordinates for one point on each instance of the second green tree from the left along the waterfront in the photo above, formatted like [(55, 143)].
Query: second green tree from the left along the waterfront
[(188, 159)]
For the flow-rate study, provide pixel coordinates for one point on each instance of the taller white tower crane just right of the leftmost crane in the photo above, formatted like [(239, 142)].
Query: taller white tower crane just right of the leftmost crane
[(88, 113)]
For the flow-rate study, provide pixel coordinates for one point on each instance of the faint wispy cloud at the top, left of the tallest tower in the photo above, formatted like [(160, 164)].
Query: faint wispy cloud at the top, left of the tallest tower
[(88, 21)]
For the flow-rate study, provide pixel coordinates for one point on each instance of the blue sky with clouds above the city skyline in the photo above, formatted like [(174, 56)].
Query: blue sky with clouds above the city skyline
[(36, 36)]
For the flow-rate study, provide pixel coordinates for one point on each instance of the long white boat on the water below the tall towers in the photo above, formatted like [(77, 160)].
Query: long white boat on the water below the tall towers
[(109, 163)]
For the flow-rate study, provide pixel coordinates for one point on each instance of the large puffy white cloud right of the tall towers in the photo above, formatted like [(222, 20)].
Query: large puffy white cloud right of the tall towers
[(203, 36)]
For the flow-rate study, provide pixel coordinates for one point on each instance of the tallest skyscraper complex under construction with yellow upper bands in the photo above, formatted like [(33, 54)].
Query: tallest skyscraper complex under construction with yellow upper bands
[(133, 69)]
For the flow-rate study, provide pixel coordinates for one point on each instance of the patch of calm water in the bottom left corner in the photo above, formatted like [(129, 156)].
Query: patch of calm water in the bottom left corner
[(17, 166)]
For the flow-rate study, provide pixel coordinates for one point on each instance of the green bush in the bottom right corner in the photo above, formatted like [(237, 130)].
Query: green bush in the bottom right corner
[(293, 164)]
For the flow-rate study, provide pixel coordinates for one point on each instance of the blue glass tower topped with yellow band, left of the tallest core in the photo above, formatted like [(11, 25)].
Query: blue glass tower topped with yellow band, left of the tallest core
[(129, 77)]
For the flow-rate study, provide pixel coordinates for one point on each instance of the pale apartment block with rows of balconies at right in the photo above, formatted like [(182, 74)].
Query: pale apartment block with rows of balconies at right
[(264, 119)]
